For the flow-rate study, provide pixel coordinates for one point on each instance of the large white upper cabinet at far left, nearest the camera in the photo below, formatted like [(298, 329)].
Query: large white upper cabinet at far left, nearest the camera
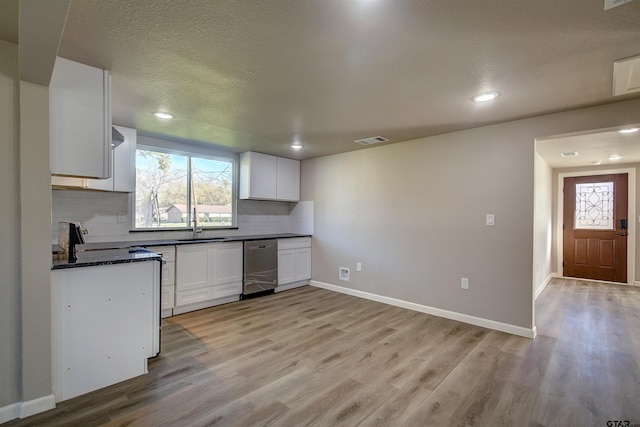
[(80, 120)]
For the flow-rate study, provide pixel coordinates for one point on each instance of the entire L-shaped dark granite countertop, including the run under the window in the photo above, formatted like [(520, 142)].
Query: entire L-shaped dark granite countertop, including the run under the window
[(118, 252)]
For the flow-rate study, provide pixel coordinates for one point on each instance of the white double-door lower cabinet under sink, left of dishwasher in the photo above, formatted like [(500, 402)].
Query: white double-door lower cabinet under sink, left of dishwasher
[(207, 274)]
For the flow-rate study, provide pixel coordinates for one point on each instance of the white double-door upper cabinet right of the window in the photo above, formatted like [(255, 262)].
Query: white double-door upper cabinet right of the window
[(266, 177)]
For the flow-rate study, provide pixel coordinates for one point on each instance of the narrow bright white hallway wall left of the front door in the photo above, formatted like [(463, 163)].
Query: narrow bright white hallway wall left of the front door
[(543, 219)]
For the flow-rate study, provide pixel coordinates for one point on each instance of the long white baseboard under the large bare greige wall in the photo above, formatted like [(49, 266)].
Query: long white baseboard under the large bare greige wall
[(465, 318)]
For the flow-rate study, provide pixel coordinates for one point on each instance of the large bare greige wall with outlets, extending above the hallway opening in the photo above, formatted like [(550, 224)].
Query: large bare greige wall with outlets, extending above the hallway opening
[(413, 213)]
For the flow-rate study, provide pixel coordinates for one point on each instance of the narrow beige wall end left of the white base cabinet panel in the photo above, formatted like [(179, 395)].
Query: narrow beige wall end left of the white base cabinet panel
[(35, 251)]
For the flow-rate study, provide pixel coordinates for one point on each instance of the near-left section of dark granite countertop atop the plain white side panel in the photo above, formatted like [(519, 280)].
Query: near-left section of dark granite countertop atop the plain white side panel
[(106, 257)]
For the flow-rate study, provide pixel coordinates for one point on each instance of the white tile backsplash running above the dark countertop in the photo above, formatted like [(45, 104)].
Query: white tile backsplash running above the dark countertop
[(107, 217)]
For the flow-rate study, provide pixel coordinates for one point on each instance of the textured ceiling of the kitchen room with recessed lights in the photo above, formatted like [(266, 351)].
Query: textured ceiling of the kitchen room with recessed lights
[(257, 74)]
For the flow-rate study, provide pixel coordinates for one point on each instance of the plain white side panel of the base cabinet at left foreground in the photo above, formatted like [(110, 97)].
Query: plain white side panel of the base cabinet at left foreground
[(105, 325)]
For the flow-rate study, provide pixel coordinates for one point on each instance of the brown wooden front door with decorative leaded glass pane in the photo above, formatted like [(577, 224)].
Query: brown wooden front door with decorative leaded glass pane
[(595, 227)]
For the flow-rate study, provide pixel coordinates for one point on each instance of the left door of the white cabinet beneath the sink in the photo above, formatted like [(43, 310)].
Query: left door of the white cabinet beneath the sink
[(194, 269)]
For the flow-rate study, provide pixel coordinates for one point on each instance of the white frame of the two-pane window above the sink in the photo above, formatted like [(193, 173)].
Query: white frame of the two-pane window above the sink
[(218, 156)]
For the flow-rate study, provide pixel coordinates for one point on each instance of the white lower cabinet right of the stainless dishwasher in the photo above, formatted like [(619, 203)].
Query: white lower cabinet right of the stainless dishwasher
[(294, 262)]
